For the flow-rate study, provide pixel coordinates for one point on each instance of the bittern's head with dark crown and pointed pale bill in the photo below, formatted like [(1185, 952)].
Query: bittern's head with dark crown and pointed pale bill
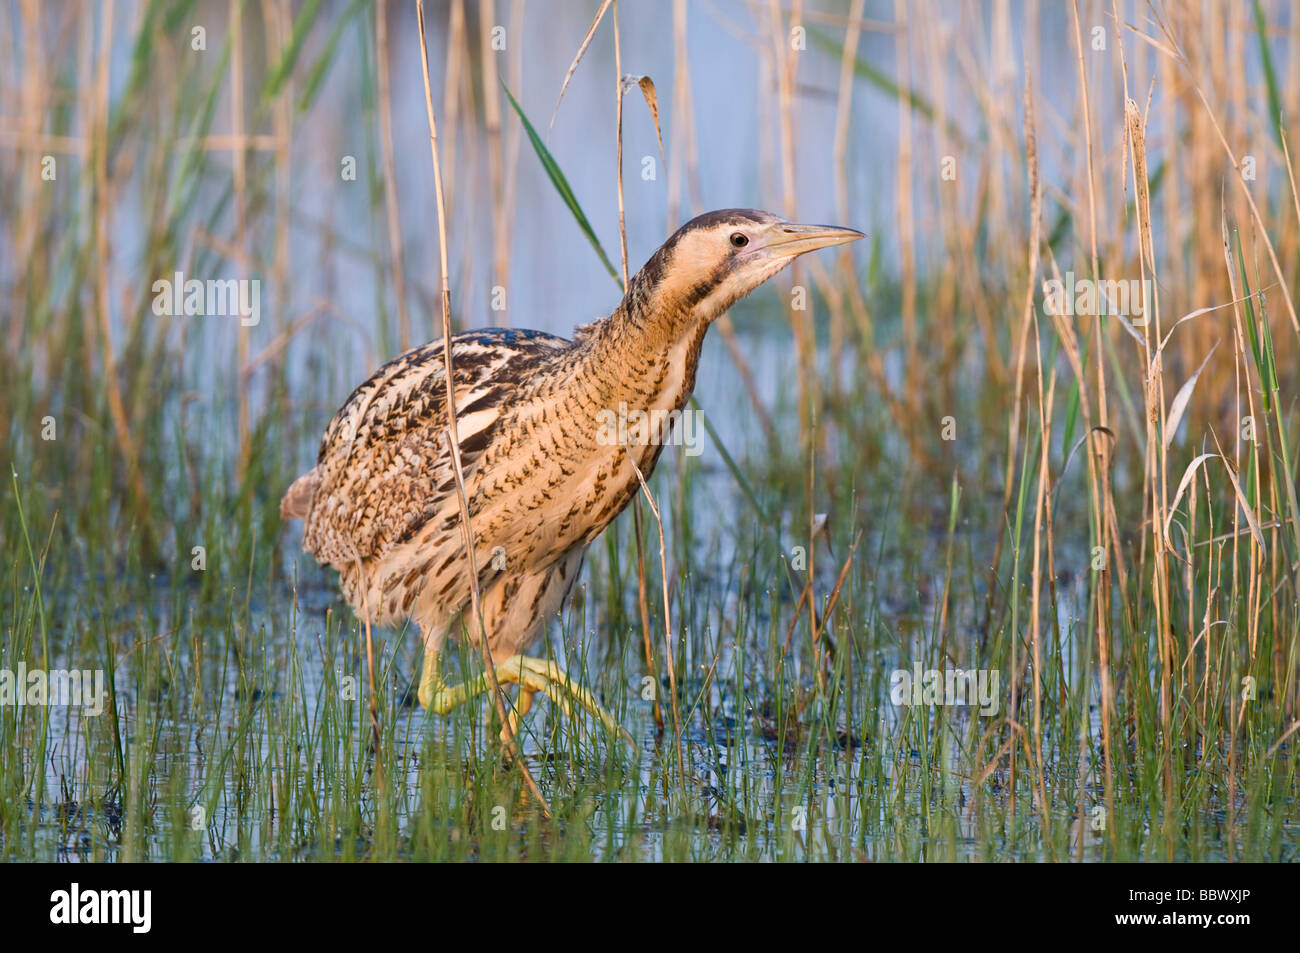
[(717, 259)]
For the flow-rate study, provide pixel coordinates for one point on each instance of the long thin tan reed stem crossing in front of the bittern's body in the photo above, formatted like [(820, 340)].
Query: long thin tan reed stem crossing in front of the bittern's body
[(454, 441)]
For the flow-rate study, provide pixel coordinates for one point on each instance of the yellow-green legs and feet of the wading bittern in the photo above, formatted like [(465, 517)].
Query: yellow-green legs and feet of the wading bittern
[(531, 674)]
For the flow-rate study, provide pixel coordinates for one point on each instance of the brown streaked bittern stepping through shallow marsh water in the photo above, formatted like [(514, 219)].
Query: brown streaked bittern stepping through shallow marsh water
[(541, 480)]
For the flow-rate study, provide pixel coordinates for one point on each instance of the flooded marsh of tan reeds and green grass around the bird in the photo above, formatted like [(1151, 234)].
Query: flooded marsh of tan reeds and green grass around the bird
[(912, 463)]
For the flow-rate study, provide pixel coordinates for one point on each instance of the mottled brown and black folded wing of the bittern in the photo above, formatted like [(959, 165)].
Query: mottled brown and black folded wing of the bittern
[(384, 467)]
